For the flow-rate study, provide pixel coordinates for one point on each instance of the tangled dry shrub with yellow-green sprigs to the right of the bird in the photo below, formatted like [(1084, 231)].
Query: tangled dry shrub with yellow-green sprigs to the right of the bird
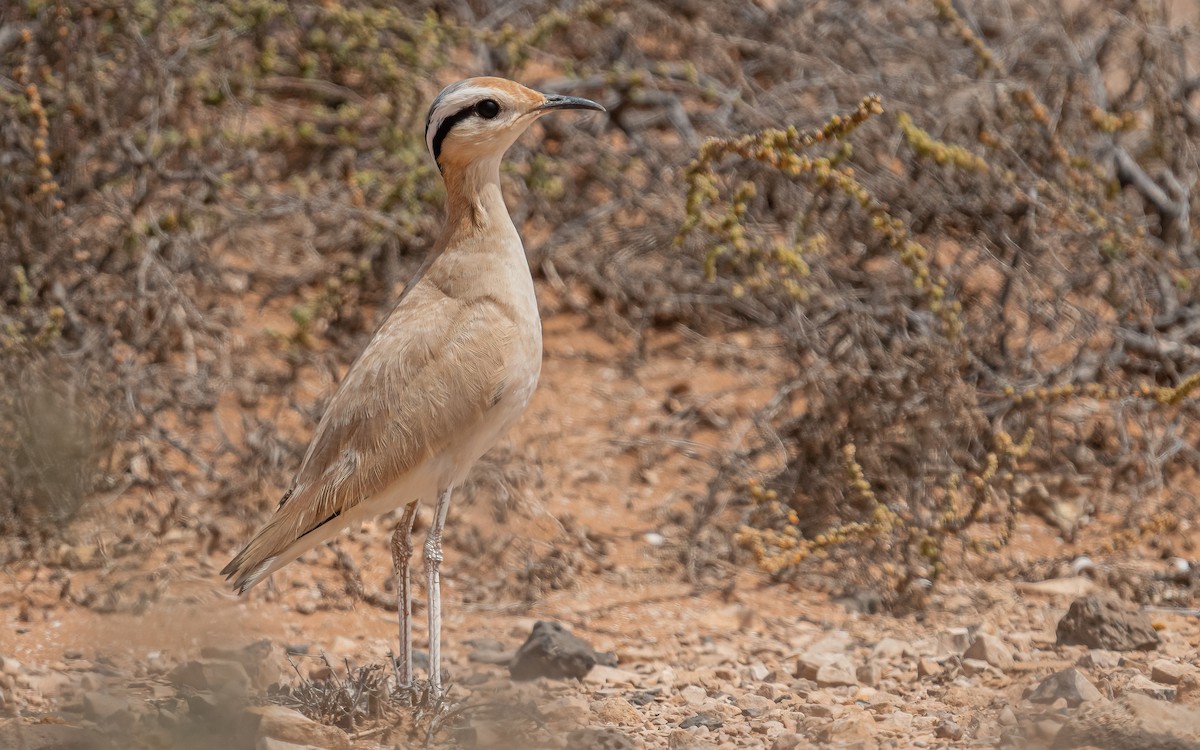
[(974, 313)]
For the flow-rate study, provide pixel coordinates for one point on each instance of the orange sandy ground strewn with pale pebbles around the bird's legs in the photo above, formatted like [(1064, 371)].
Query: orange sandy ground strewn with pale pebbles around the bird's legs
[(605, 472)]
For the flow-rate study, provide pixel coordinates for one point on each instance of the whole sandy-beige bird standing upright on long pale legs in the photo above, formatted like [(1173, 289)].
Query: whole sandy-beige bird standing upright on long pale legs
[(448, 373)]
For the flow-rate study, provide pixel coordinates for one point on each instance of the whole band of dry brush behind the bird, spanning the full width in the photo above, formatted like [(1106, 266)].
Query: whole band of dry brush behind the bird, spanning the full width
[(177, 179)]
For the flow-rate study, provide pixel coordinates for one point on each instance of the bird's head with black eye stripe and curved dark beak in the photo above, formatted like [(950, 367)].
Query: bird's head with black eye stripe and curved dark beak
[(478, 119)]
